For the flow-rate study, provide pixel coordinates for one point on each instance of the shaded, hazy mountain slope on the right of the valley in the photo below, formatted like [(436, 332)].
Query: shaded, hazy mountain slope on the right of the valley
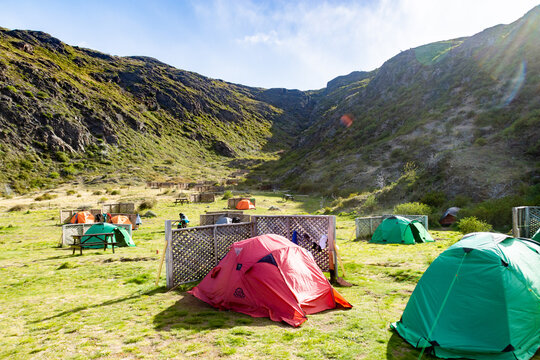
[(463, 113)]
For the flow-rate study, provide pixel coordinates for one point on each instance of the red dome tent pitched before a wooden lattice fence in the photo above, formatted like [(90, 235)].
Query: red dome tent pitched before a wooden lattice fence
[(269, 276)]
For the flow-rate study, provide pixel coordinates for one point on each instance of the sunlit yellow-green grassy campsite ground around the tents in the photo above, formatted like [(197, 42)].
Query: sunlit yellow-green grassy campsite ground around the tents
[(106, 306)]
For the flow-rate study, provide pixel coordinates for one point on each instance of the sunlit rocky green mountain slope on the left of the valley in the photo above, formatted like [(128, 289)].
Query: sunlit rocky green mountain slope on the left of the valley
[(78, 114)]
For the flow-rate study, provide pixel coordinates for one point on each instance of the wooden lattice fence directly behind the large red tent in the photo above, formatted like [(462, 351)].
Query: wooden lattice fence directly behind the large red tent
[(193, 252)]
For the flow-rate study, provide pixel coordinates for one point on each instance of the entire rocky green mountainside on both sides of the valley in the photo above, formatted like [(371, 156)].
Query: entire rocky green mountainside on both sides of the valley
[(459, 116)]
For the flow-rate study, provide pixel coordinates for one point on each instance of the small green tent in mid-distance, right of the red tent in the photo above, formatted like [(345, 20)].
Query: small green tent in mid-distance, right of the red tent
[(399, 230)]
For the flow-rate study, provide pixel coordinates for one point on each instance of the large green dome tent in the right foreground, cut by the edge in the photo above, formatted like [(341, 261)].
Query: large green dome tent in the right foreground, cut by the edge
[(480, 299)]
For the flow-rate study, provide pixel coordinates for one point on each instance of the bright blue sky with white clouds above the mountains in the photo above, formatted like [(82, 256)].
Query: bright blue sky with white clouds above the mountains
[(294, 44)]
